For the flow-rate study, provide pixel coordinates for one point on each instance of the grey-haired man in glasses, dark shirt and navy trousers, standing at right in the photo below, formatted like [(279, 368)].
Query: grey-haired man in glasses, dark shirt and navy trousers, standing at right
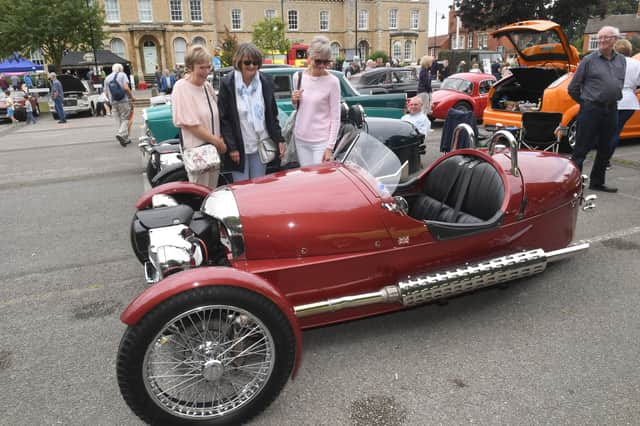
[(597, 86)]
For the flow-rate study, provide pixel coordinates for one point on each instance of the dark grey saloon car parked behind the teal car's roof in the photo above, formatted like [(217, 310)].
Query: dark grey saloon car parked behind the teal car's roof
[(387, 80)]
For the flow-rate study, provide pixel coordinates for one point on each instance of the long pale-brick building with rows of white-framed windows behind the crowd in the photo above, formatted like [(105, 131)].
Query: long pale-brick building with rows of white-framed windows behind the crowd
[(158, 32)]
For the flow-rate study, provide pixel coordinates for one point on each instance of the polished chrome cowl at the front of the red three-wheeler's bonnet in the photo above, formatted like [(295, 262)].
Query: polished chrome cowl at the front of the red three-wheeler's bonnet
[(222, 205)]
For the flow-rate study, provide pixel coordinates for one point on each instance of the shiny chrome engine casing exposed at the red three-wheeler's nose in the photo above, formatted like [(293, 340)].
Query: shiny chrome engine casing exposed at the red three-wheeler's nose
[(171, 249)]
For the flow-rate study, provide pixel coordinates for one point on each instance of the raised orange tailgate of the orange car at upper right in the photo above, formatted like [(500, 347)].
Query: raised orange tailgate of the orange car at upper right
[(540, 43)]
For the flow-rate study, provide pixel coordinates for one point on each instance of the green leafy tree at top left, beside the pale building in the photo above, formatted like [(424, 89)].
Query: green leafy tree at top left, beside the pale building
[(53, 26)]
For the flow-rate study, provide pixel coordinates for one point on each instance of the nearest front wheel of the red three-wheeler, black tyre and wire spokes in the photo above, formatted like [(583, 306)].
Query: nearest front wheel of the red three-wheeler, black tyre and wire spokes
[(209, 356)]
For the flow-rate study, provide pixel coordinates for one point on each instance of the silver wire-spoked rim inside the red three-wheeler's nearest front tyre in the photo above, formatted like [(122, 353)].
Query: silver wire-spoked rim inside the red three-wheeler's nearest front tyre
[(209, 361)]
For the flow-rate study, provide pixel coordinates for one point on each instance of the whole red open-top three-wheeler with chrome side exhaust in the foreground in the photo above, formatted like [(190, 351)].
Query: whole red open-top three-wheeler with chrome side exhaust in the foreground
[(238, 272)]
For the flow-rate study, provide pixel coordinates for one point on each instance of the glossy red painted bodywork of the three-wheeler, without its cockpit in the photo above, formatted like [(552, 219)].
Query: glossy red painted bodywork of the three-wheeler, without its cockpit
[(318, 246)]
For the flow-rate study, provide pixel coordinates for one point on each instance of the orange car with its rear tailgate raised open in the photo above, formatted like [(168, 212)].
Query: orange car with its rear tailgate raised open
[(548, 64)]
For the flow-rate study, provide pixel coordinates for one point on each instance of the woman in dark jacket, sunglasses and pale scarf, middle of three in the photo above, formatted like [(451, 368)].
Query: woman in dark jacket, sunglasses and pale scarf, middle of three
[(248, 114)]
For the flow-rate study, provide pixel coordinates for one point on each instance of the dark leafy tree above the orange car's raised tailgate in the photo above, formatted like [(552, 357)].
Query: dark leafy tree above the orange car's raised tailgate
[(572, 15)]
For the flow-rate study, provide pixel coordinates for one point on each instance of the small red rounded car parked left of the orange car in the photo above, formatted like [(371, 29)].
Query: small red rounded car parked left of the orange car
[(467, 91)]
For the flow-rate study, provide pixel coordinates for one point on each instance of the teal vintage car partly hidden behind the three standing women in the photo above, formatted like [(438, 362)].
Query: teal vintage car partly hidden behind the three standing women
[(160, 125)]
